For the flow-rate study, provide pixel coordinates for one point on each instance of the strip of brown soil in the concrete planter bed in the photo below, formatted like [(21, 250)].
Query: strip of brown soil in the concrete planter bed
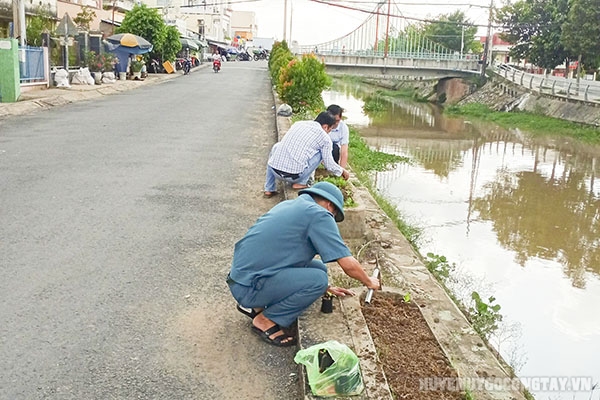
[(407, 349)]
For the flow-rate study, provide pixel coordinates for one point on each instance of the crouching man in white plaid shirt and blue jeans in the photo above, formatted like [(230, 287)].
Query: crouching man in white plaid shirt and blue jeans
[(305, 145)]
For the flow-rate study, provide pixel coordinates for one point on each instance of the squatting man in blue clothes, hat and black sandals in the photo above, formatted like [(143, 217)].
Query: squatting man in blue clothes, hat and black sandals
[(274, 275)]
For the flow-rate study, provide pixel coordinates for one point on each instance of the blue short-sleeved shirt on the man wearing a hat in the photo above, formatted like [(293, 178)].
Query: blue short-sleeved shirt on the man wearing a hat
[(288, 236)]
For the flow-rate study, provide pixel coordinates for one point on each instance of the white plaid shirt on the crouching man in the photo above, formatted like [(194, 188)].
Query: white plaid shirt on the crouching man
[(302, 141)]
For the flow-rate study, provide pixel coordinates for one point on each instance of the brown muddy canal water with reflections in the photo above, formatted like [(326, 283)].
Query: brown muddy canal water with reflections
[(518, 216)]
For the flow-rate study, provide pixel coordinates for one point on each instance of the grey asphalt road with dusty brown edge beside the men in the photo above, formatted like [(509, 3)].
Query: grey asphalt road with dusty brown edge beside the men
[(118, 221)]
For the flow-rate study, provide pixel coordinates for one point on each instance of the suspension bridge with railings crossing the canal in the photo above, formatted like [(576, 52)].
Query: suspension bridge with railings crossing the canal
[(386, 43)]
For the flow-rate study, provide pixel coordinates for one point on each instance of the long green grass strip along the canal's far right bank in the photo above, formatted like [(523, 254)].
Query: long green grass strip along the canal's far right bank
[(536, 124)]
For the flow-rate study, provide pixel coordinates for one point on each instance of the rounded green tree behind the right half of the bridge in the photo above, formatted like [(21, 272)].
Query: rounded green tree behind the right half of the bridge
[(448, 31)]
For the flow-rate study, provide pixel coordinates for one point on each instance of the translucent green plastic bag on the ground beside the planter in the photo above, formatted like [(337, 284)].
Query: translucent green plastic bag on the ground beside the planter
[(332, 368)]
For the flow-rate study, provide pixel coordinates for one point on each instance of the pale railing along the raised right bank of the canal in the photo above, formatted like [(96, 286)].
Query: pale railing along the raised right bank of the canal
[(585, 90)]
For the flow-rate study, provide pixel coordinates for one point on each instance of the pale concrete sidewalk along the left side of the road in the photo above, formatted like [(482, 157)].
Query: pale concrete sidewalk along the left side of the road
[(36, 99)]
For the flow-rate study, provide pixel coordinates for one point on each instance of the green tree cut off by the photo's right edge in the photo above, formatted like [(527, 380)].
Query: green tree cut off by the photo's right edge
[(581, 31)]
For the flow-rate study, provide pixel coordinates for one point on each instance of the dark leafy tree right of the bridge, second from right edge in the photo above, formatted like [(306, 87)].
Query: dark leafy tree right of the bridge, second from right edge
[(534, 27)]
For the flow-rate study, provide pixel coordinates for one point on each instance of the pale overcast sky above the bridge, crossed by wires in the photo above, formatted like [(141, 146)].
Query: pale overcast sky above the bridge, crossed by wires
[(312, 22)]
